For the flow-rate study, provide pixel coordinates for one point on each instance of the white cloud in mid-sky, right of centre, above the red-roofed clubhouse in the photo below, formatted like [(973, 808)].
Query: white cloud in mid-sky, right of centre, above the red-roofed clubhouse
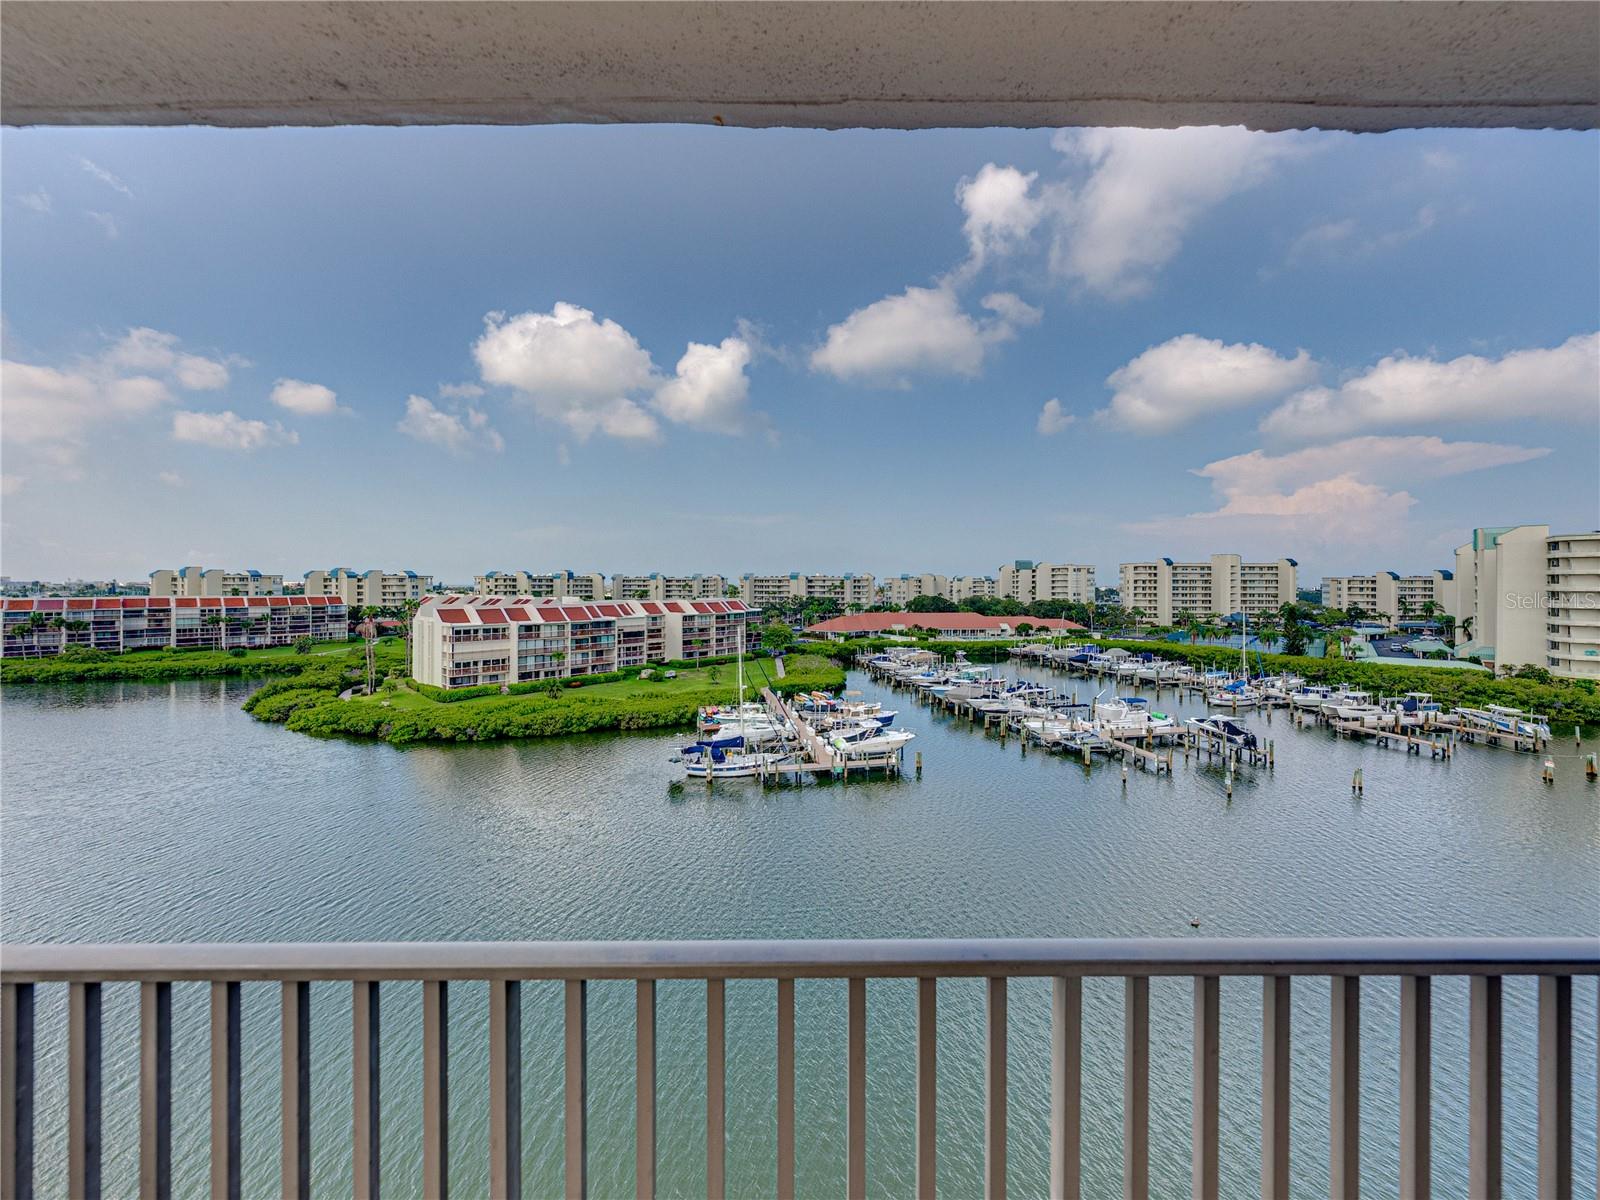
[(919, 332)]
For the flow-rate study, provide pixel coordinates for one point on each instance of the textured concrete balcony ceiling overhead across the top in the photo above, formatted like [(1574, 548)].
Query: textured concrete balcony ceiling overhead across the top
[(1273, 66)]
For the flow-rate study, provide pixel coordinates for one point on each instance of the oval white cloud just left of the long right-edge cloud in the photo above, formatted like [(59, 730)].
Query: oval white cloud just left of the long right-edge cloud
[(1190, 377)]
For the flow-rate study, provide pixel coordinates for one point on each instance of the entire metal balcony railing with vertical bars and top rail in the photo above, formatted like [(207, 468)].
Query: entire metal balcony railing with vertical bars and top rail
[(503, 967)]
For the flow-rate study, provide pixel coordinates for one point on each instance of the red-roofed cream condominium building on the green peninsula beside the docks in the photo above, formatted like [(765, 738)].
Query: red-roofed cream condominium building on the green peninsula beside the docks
[(468, 641)]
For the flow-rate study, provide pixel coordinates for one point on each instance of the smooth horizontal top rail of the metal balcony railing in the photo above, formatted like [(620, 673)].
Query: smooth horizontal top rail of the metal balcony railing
[(41, 962)]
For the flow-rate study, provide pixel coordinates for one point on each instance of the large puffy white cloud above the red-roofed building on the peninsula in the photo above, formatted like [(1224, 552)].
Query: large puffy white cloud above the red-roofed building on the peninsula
[(572, 369)]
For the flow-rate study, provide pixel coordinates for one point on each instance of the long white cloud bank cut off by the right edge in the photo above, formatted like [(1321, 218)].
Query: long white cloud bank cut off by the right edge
[(1561, 383)]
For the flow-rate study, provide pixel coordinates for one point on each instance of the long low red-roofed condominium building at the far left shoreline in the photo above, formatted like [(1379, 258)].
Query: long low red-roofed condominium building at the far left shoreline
[(38, 628)]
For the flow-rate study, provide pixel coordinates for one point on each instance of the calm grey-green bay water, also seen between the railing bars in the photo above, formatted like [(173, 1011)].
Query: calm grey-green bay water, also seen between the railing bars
[(164, 814)]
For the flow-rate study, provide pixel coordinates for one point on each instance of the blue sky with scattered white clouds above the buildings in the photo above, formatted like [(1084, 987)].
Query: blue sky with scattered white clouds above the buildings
[(700, 350)]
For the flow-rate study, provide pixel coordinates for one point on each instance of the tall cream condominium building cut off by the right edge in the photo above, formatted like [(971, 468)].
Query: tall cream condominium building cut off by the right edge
[(1526, 596)]
